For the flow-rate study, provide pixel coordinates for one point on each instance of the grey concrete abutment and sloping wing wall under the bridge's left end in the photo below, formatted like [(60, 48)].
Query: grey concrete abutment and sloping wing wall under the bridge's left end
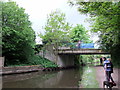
[(60, 60)]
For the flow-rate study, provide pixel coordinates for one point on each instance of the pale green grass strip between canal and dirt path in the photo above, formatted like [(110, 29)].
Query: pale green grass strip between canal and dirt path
[(89, 78)]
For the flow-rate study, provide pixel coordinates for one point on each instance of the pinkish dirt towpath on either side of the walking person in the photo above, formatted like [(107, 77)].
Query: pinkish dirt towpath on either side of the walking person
[(100, 75)]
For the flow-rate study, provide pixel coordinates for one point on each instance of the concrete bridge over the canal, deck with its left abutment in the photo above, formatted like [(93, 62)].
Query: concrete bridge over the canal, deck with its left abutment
[(65, 56)]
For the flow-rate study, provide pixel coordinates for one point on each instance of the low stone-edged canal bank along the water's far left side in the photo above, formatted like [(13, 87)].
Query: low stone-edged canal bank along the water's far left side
[(28, 69)]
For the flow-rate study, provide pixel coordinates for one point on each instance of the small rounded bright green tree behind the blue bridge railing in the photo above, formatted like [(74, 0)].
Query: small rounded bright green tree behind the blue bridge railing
[(79, 33)]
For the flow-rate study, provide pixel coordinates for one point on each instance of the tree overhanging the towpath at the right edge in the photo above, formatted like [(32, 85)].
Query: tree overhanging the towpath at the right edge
[(105, 16)]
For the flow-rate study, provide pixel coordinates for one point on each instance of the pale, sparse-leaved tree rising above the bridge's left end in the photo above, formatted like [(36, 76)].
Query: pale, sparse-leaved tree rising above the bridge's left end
[(56, 28)]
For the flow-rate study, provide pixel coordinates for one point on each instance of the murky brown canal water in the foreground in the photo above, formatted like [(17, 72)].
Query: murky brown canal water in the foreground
[(57, 79)]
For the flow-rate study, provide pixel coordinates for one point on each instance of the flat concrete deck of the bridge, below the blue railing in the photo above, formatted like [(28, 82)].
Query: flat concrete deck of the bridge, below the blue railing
[(81, 51)]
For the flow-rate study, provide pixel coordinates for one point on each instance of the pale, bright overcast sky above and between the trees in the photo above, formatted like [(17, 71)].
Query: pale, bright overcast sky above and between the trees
[(39, 9)]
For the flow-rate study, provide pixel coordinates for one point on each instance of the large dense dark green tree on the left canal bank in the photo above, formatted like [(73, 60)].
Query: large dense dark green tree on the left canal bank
[(18, 38)]
